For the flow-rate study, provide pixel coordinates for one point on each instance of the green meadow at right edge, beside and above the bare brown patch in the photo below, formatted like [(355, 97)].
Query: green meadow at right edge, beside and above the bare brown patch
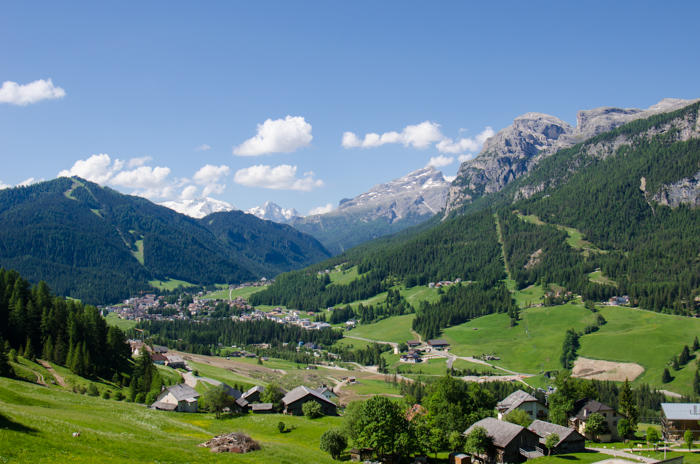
[(647, 338)]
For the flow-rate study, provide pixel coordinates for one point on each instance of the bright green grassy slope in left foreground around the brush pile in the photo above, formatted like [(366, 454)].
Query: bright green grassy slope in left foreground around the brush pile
[(36, 424)]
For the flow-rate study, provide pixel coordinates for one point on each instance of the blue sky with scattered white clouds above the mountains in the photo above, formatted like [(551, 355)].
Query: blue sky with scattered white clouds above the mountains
[(137, 87)]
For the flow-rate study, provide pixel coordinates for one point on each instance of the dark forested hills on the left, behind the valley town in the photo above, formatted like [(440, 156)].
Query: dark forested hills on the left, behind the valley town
[(98, 245)]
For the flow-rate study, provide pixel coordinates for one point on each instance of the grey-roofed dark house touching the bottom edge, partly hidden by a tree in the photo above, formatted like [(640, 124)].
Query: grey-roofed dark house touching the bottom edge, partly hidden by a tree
[(511, 442)]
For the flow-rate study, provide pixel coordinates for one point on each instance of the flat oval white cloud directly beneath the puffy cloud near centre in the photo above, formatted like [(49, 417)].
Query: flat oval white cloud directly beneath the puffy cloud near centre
[(278, 178)]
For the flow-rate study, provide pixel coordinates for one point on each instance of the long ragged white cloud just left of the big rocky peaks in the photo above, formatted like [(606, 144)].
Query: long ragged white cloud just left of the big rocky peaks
[(419, 136)]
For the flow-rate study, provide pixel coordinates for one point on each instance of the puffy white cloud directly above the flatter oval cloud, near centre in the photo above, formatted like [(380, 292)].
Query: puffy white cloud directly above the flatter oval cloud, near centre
[(278, 136)]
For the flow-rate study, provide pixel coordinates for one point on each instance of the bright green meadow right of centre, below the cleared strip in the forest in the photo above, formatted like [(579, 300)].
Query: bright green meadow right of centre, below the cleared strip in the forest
[(533, 345)]
